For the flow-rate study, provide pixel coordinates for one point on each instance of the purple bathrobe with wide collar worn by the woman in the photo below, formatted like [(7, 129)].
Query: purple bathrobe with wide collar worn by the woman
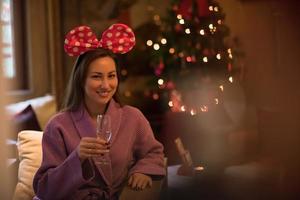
[(133, 149)]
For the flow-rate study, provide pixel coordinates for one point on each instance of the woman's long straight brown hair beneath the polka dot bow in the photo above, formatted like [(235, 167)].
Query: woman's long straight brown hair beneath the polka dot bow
[(75, 89)]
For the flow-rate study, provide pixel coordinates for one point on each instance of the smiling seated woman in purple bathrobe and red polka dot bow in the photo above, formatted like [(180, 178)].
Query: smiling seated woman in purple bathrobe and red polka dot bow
[(70, 146)]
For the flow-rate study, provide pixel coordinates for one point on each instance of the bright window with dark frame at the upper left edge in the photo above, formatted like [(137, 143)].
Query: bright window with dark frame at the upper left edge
[(13, 42)]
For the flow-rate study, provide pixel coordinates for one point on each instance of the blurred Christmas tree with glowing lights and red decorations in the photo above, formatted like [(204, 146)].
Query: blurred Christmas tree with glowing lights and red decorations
[(191, 55)]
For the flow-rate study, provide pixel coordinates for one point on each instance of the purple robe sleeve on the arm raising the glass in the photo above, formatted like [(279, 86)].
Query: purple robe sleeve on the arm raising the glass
[(59, 174)]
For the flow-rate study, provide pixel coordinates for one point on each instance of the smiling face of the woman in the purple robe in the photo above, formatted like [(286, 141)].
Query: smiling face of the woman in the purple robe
[(101, 83)]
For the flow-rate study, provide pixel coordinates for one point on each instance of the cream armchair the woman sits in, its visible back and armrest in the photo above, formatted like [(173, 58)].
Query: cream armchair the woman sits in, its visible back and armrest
[(30, 156)]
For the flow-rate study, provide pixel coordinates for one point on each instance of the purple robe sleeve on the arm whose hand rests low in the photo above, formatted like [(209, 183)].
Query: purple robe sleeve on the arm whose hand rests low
[(147, 151)]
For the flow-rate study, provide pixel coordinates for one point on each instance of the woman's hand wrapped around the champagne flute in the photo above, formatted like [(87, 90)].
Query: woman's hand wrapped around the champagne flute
[(90, 146)]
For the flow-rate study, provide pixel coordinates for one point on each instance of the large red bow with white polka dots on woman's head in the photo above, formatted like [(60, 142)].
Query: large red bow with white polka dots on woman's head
[(119, 38)]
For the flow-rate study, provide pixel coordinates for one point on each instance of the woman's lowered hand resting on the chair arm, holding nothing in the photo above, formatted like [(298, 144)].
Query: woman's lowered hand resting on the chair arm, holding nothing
[(139, 181)]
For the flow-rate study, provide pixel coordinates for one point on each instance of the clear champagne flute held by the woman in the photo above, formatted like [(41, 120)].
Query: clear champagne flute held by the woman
[(103, 131)]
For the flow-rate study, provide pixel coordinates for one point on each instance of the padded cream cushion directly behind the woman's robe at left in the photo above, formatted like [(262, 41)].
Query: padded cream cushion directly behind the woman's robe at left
[(30, 156)]
